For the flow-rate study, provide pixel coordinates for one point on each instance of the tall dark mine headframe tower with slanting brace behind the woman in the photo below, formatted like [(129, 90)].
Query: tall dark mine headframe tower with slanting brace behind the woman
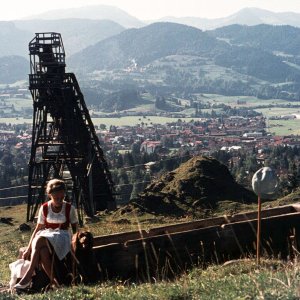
[(64, 141)]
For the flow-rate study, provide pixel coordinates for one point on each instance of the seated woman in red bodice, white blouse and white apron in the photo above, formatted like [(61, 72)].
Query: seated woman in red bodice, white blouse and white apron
[(54, 218)]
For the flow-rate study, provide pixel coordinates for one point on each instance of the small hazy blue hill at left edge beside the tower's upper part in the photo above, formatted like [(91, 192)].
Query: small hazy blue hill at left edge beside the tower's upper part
[(13, 68)]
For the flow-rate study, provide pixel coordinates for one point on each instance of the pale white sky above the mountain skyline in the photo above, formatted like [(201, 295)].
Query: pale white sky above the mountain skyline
[(148, 9)]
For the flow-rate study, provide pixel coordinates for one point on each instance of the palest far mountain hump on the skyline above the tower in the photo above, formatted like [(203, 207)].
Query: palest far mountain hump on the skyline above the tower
[(93, 12)]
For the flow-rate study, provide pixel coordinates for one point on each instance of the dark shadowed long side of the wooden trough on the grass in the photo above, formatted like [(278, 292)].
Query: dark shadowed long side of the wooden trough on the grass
[(167, 254)]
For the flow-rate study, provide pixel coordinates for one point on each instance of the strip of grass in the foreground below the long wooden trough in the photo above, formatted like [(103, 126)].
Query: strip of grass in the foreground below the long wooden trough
[(238, 280)]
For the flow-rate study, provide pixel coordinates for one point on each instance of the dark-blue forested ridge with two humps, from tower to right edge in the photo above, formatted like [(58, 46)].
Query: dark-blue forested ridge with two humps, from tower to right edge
[(245, 49)]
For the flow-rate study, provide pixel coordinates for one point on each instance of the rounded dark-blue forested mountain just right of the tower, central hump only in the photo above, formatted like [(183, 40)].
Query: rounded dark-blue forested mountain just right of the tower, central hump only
[(145, 45)]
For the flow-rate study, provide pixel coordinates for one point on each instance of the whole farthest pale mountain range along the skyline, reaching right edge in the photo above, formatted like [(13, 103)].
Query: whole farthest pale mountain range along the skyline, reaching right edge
[(247, 16)]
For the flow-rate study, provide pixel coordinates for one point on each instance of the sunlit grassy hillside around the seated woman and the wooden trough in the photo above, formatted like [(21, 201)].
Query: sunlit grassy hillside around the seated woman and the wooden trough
[(238, 280)]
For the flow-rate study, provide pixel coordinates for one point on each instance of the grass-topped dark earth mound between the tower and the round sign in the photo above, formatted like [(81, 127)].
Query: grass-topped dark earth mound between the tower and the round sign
[(195, 188)]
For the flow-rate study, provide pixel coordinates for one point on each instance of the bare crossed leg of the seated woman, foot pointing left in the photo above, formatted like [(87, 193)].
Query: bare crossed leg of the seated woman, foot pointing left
[(40, 244)]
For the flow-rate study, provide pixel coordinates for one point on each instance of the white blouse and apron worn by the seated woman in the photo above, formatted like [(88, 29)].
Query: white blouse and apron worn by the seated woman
[(60, 239)]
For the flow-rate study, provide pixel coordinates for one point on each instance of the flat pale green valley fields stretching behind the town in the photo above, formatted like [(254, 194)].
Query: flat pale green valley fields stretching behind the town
[(277, 127)]
